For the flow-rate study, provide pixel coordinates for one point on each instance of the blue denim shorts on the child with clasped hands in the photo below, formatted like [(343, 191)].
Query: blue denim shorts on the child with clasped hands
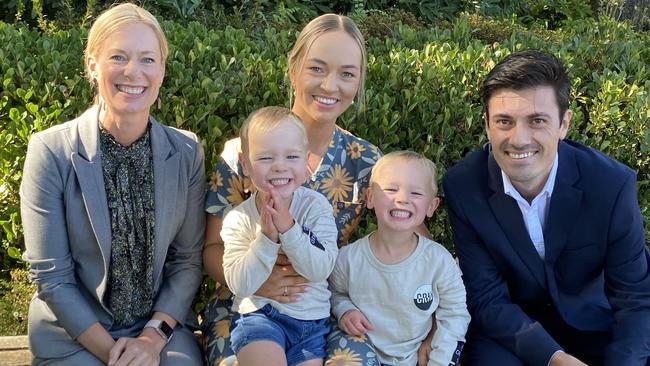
[(302, 340)]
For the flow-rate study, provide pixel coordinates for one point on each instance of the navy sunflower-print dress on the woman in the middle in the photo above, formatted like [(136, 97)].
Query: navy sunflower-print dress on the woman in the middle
[(343, 177)]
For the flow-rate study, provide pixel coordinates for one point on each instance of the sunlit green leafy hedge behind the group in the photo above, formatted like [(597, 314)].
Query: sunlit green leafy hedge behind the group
[(421, 91)]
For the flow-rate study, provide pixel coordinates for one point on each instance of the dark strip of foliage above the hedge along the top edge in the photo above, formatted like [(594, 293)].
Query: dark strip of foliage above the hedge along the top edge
[(53, 13)]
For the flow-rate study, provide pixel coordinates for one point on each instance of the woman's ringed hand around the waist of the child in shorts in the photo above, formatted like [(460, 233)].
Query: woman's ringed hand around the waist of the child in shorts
[(284, 284)]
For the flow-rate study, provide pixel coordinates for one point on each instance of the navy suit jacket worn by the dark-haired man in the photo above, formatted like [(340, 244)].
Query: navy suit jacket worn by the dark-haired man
[(595, 273)]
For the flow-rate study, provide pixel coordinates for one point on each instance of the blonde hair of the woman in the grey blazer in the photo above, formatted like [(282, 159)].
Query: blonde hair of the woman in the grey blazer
[(112, 20)]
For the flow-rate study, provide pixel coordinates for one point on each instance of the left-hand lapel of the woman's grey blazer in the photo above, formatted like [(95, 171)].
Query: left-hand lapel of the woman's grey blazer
[(88, 167)]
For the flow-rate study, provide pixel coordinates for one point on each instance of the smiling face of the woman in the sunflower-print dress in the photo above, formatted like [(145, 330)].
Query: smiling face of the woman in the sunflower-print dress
[(327, 78)]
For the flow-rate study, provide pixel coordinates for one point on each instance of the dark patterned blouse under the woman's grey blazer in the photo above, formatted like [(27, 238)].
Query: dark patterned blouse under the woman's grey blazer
[(128, 180)]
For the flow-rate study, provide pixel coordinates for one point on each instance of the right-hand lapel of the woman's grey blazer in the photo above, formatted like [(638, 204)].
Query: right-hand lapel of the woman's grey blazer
[(166, 168)]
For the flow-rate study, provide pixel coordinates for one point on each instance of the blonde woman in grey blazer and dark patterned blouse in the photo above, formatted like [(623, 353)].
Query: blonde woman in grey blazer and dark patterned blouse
[(112, 211)]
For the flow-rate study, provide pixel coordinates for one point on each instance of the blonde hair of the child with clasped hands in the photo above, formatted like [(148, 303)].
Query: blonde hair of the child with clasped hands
[(264, 120)]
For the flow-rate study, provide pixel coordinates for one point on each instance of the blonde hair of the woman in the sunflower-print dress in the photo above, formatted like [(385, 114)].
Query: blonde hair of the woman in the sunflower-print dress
[(323, 24)]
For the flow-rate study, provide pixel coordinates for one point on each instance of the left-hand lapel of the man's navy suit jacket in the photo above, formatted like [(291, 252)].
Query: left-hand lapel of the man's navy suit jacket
[(507, 213)]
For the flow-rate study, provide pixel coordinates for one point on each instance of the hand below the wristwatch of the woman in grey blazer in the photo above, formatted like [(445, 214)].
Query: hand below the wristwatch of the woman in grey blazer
[(142, 351)]
